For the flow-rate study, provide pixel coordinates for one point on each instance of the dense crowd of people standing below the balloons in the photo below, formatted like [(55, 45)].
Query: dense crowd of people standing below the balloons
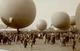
[(47, 37)]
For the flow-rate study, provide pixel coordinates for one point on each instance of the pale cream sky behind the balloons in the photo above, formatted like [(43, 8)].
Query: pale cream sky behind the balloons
[(46, 8)]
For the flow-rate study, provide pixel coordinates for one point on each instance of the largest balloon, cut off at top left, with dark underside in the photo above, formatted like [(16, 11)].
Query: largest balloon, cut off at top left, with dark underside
[(17, 13)]
